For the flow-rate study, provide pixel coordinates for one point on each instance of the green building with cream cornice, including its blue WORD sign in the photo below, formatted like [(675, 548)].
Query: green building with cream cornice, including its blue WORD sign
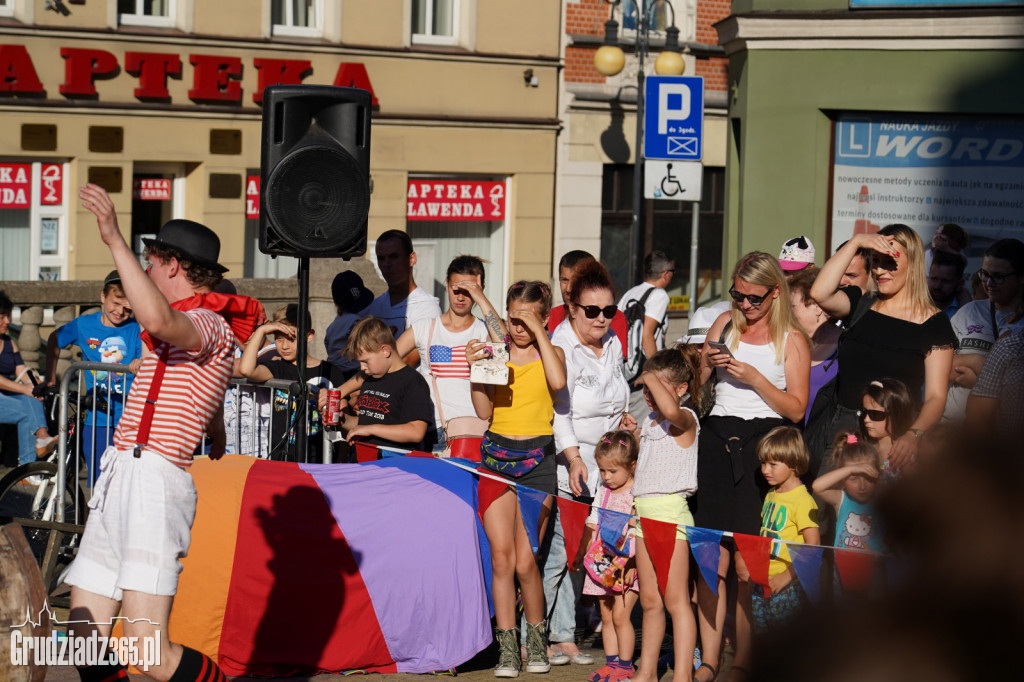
[(903, 113)]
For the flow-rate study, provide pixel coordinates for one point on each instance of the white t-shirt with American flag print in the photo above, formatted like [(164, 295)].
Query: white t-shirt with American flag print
[(444, 356)]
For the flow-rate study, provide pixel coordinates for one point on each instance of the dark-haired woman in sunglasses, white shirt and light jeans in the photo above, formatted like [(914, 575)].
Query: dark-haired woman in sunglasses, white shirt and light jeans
[(592, 404)]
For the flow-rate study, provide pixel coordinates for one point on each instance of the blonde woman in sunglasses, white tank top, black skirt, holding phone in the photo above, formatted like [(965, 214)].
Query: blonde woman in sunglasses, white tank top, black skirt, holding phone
[(762, 366)]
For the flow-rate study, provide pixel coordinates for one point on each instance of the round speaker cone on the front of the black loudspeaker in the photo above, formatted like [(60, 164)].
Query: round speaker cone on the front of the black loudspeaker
[(319, 199)]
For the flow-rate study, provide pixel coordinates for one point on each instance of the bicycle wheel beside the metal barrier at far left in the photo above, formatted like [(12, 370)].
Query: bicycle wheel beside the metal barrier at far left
[(28, 494)]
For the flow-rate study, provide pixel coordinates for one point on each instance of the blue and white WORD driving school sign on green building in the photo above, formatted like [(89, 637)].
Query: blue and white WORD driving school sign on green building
[(926, 170)]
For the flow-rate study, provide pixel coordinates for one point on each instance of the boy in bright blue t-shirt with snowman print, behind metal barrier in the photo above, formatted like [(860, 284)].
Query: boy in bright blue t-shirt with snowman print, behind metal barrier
[(111, 336)]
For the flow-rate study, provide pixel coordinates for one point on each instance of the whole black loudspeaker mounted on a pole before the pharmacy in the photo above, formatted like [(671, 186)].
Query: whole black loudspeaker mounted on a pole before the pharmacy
[(315, 172)]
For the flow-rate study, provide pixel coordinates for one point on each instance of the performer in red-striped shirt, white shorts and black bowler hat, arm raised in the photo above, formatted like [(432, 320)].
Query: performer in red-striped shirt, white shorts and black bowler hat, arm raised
[(130, 563)]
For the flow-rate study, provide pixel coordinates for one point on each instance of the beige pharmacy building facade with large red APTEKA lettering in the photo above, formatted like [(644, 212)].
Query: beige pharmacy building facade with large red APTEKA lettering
[(159, 102)]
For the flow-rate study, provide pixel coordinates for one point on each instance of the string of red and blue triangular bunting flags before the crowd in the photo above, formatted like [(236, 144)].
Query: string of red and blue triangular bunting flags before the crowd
[(857, 567)]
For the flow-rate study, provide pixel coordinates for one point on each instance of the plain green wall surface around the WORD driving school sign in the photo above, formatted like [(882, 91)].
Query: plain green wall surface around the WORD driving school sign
[(781, 134)]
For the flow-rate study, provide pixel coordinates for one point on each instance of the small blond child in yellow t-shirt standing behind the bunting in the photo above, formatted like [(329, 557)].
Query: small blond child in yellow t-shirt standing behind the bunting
[(790, 515)]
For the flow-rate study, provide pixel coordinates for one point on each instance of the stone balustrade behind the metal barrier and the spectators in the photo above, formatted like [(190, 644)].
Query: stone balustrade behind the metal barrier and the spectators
[(67, 301)]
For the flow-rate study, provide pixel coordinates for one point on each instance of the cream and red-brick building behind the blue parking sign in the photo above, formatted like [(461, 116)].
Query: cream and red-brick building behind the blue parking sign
[(598, 155)]
